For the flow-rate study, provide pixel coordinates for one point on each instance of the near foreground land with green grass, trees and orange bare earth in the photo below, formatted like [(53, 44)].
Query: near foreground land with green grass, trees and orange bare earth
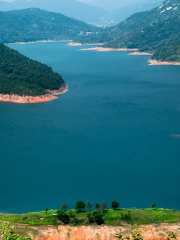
[(102, 223)]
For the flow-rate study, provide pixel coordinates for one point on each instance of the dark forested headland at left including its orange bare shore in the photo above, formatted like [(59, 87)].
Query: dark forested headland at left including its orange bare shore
[(23, 80)]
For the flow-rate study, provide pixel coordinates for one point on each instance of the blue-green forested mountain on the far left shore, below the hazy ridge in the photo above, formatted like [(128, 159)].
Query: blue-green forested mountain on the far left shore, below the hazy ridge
[(35, 24)]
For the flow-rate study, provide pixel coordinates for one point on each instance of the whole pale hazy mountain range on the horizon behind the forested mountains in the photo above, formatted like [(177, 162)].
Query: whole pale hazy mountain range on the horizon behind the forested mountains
[(98, 12)]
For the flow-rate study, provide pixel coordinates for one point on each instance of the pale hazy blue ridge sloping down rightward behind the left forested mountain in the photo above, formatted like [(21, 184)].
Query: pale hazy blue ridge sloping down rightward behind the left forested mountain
[(70, 8)]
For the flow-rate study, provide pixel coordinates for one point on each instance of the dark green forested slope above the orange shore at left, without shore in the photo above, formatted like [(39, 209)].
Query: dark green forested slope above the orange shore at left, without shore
[(23, 76)]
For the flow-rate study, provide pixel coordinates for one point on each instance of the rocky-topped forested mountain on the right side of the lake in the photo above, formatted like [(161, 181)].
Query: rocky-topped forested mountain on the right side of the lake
[(156, 31)]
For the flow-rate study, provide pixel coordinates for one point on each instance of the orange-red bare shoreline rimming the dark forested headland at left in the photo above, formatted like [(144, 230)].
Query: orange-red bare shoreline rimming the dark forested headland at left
[(33, 99)]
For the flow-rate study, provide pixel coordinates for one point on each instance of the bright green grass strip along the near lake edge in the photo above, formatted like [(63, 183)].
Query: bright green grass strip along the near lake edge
[(111, 217)]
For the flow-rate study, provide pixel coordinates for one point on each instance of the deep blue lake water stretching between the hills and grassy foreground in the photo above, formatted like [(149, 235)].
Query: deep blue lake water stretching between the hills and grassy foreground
[(109, 137)]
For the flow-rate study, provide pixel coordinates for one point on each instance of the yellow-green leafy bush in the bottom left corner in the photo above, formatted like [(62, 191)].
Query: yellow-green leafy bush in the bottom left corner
[(8, 233)]
